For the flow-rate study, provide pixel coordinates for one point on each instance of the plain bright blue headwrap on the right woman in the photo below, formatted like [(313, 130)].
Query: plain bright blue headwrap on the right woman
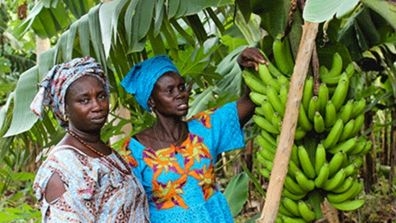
[(141, 78)]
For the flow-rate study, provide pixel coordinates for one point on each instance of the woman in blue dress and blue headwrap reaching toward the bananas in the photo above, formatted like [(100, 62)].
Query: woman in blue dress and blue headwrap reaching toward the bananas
[(174, 159)]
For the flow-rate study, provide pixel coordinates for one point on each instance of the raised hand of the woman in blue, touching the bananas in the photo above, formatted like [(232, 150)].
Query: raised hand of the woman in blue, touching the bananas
[(250, 58)]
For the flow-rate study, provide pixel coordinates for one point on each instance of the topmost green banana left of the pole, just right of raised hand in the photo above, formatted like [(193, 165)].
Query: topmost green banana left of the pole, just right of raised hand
[(282, 55)]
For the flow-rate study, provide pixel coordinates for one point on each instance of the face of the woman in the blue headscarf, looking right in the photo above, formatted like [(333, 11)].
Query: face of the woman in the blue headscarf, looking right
[(170, 95)]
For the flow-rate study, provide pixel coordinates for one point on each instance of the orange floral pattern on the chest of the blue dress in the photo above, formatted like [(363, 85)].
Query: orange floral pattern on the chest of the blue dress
[(191, 151)]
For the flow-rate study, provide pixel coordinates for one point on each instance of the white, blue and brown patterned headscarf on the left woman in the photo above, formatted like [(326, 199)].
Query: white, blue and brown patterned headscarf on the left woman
[(54, 86)]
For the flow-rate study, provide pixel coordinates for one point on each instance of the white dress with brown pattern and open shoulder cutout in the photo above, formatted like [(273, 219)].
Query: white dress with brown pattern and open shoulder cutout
[(96, 191)]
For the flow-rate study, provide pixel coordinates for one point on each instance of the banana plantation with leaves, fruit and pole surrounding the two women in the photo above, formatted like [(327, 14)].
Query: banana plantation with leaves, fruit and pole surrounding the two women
[(321, 145)]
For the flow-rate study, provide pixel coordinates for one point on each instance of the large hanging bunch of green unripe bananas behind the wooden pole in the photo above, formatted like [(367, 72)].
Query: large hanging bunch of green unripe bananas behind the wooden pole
[(328, 147)]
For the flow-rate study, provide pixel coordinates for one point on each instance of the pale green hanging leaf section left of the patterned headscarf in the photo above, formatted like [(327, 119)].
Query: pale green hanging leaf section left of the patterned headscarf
[(23, 119)]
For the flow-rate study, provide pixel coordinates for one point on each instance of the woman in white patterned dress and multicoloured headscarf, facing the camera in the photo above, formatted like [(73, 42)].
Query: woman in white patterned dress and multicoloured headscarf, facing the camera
[(82, 178)]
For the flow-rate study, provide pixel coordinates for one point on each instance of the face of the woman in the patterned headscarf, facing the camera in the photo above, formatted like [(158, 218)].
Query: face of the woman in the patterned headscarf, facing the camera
[(87, 104)]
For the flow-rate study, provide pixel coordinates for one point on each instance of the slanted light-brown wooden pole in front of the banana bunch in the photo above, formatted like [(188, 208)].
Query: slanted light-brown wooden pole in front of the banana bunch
[(282, 156)]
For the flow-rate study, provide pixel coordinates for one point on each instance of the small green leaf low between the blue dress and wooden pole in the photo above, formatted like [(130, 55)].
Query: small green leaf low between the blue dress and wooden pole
[(236, 192)]
